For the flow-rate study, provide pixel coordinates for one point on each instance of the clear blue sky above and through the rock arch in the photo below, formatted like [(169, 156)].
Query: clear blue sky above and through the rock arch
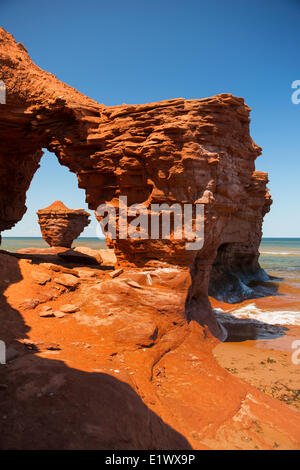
[(139, 51)]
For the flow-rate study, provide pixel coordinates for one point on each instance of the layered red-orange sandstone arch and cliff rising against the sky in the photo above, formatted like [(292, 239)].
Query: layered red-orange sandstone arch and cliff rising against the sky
[(175, 152)]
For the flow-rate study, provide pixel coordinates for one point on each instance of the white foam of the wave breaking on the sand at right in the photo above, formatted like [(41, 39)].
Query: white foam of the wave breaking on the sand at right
[(275, 317)]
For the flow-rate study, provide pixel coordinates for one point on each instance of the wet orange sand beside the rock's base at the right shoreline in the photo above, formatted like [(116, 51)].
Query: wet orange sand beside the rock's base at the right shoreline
[(265, 360)]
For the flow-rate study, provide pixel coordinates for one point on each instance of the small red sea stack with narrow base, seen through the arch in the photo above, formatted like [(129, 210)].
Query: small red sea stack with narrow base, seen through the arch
[(60, 226)]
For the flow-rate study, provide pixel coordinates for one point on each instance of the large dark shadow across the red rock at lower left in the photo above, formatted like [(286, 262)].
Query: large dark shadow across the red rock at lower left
[(44, 404)]
